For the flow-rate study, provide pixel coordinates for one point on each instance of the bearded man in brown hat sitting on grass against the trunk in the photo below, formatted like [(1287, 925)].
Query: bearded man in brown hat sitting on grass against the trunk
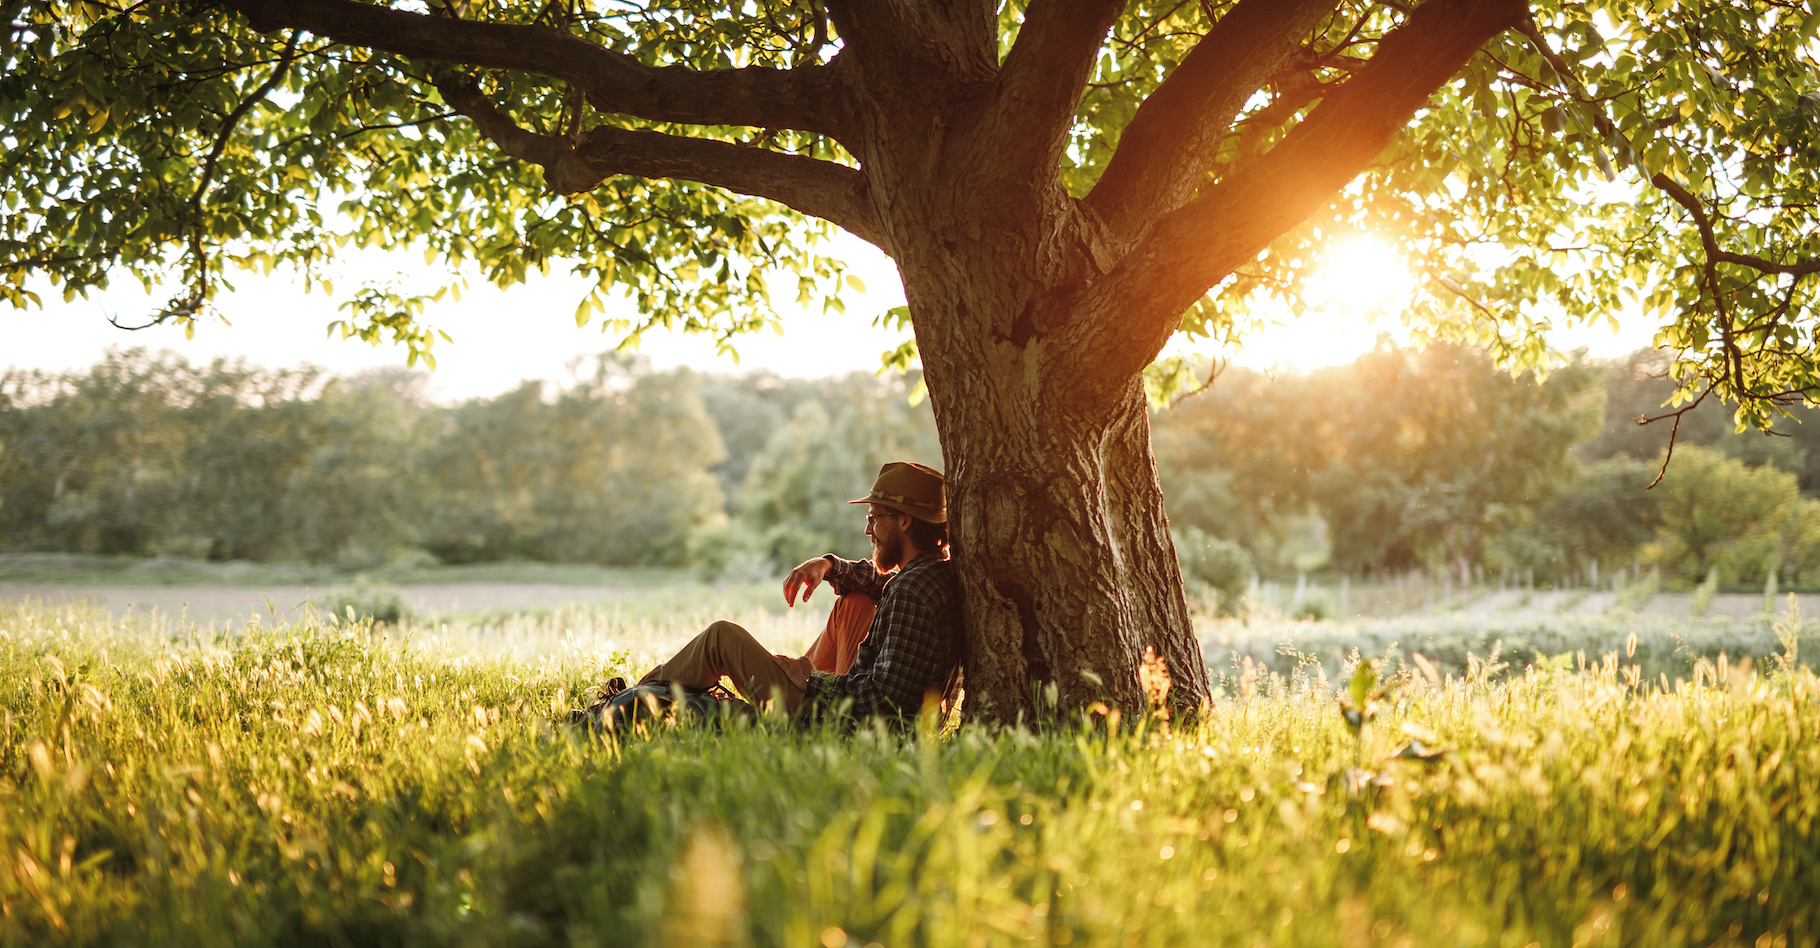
[(913, 645)]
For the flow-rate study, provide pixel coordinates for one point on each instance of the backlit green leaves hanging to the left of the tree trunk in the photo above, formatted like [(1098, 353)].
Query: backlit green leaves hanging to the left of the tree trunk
[(176, 146)]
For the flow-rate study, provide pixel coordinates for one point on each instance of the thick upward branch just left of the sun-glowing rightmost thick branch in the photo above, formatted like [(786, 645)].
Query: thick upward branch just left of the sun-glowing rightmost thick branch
[(1169, 145)]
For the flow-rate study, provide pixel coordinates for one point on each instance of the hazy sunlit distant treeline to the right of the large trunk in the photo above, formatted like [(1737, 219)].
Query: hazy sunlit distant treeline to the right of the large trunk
[(1439, 461)]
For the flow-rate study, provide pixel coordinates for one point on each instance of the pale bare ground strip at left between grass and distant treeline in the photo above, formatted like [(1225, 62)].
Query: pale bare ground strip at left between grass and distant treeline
[(236, 605)]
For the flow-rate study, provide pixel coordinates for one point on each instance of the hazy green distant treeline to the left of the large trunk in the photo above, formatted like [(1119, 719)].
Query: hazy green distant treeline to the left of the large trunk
[(150, 456)]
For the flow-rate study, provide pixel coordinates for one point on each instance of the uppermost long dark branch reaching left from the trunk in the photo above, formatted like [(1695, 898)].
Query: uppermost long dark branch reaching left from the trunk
[(780, 99)]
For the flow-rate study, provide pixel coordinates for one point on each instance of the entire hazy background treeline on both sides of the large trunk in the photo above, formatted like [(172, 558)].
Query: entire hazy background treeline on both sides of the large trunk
[(1400, 461)]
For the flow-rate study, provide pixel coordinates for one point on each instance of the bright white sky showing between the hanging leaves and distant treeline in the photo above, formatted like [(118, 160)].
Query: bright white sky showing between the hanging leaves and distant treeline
[(503, 338)]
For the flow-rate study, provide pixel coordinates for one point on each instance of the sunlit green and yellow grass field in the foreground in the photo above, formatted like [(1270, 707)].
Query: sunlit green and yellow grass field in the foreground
[(325, 785)]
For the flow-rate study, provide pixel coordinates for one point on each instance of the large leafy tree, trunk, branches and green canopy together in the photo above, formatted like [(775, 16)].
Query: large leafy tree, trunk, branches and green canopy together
[(1064, 185)]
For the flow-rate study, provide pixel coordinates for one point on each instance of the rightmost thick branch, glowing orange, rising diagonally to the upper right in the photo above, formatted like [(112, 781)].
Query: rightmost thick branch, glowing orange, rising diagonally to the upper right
[(1198, 245)]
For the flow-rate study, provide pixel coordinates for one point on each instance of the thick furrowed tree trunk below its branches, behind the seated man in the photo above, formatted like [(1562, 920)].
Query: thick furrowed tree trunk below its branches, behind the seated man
[(1057, 510)]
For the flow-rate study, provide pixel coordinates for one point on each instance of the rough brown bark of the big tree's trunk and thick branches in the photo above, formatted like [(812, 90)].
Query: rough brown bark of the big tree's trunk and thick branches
[(1035, 312)]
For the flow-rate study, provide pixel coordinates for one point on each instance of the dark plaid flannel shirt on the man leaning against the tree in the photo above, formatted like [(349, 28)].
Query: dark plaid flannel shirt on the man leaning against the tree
[(913, 645)]
